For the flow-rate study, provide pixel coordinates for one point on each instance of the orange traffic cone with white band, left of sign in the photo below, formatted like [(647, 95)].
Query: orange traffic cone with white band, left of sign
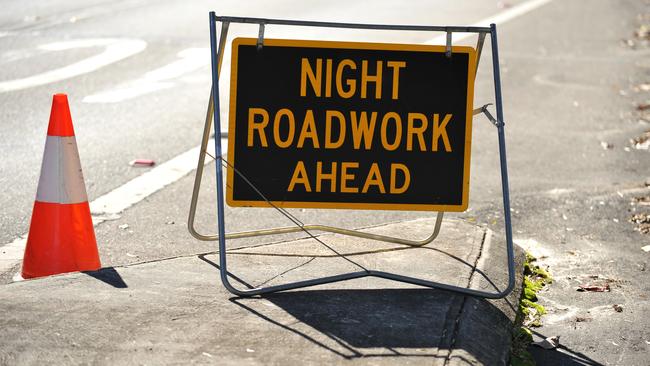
[(61, 235)]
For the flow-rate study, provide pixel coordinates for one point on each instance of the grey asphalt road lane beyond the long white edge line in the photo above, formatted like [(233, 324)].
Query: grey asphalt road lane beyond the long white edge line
[(157, 116)]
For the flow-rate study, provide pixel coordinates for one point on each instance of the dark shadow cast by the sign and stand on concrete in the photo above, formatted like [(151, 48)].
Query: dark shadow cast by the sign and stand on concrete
[(406, 323)]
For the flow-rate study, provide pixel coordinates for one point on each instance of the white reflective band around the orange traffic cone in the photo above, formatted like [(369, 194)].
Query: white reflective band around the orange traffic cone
[(61, 177)]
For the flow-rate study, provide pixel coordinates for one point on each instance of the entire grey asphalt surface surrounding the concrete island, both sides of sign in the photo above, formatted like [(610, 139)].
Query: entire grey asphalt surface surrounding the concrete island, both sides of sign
[(570, 95)]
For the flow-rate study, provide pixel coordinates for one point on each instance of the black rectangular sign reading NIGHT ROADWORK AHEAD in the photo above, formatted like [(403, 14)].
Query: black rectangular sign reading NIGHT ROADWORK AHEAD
[(317, 124)]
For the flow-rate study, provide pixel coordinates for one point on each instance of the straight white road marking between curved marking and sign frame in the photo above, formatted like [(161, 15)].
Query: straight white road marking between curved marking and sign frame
[(190, 59)]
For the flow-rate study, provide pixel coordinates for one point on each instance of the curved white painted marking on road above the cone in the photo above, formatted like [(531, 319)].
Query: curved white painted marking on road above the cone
[(115, 50)]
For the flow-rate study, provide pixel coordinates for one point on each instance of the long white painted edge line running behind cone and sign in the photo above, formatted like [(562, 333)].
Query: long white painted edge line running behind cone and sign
[(167, 173)]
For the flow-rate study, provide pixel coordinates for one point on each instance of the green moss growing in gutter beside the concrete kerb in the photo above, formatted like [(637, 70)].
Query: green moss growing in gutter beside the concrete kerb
[(530, 312)]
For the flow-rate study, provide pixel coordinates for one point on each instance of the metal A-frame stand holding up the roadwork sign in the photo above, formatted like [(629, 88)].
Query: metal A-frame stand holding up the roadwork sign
[(213, 113)]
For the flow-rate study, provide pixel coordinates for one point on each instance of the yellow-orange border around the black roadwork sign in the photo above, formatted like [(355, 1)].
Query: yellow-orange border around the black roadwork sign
[(357, 46)]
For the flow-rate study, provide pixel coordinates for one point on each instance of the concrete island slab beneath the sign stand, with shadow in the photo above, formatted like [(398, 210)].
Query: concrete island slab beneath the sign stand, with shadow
[(175, 311)]
